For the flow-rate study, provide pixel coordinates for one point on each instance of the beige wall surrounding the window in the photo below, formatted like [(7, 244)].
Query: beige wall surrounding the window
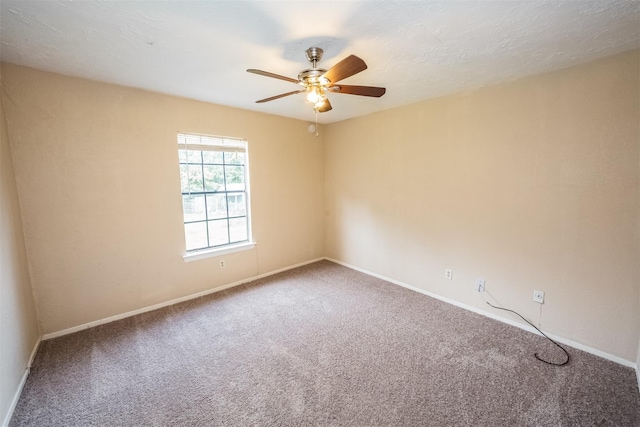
[(97, 173)]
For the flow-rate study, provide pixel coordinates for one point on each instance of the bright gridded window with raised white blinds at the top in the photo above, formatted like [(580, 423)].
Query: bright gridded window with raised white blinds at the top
[(215, 192)]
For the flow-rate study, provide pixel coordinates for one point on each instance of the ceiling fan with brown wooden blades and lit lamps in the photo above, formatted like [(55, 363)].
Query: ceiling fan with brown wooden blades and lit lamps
[(317, 82)]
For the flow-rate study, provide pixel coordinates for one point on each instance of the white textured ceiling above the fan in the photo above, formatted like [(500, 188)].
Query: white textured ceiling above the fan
[(416, 49)]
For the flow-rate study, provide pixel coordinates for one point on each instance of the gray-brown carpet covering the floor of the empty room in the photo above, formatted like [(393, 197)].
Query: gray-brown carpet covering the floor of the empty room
[(319, 345)]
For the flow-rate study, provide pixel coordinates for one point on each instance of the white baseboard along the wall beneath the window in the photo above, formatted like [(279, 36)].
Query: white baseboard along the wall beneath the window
[(170, 302)]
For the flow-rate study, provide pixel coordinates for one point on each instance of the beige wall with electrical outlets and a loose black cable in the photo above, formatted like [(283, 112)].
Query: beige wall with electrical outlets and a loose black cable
[(530, 185)]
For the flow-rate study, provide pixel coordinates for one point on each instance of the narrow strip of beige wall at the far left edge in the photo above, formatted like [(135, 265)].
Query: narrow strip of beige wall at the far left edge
[(19, 331)]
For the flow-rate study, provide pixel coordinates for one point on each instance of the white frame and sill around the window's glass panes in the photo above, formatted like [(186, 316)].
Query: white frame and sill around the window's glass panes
[(198, 142)]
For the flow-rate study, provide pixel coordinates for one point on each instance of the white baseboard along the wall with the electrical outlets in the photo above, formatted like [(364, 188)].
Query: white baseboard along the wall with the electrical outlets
[(524, 326)]
